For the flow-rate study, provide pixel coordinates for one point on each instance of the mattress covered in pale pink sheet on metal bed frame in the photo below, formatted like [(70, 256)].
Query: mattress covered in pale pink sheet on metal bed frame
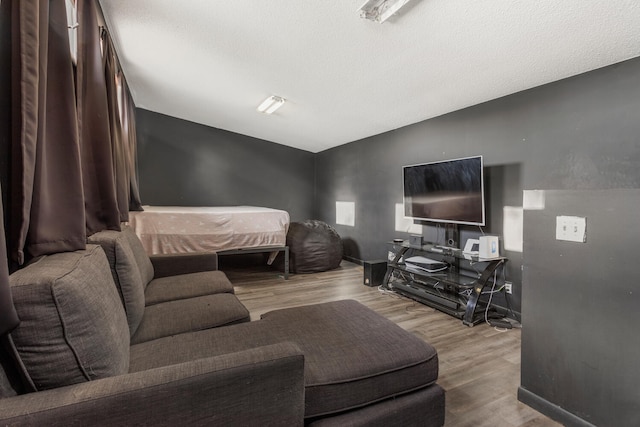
[(178, 229)]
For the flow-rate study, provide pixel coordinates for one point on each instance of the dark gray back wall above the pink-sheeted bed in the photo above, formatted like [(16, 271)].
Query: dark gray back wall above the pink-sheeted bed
[(186, 164)]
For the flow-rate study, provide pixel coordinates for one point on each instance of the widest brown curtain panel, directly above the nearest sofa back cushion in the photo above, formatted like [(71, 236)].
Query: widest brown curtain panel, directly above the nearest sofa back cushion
[(46, 195)]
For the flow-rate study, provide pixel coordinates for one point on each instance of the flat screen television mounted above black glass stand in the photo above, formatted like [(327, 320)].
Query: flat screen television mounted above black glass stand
[(450, 191)]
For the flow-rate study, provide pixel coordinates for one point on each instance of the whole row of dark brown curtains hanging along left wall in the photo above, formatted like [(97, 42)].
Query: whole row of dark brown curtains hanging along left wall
[(68, 177)]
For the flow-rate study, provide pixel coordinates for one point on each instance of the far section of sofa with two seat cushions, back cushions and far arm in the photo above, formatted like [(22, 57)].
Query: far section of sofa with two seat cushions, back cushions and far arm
[(158, 305)]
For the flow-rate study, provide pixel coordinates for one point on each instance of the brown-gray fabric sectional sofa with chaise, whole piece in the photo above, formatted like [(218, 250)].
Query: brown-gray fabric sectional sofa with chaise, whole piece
[(109, 336)]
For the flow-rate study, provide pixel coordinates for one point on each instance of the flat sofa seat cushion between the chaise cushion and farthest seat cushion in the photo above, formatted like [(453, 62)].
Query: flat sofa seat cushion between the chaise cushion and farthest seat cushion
[(192, 314)]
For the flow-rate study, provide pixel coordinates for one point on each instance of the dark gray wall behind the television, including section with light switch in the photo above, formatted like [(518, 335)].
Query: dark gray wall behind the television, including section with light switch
[(578, 139)]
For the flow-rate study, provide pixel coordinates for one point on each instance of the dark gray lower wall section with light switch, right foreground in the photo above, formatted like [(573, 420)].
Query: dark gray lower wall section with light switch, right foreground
[(580, 344)]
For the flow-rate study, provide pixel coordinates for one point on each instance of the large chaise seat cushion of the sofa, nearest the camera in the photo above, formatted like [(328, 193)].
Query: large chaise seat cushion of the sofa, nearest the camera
[(353, 356)]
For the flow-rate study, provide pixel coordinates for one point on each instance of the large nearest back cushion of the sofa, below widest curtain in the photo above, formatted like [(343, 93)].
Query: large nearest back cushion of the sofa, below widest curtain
[(73, 327)]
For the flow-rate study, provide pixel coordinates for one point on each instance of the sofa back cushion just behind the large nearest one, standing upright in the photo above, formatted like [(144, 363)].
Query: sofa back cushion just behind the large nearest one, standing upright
[(126, 273)]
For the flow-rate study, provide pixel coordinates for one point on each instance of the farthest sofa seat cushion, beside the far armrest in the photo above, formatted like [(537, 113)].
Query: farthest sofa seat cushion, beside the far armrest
[(187, 286)]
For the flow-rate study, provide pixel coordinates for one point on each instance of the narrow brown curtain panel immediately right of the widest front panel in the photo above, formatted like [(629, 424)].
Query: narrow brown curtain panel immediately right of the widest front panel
[(101, 204)]
